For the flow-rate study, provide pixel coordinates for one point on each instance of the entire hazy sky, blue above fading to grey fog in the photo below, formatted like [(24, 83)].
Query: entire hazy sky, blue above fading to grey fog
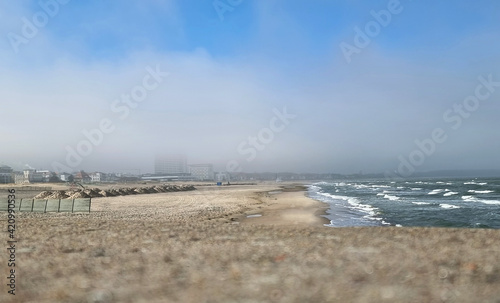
[(256, 86)]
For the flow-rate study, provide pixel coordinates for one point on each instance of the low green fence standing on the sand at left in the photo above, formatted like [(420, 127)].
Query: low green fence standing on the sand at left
[(49, 205)]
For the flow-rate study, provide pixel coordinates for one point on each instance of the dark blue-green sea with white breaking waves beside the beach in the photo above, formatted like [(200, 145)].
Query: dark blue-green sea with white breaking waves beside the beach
[(425, 202)]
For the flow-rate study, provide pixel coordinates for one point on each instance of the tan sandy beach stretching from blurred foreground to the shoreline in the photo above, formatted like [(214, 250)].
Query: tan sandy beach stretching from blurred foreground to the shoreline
[(208, 245)]
